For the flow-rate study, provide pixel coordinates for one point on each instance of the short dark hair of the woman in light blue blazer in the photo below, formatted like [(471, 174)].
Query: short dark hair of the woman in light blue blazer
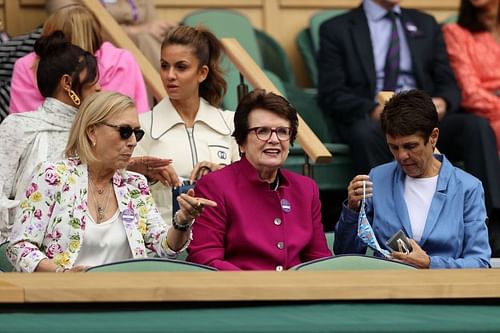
[(410, 112)]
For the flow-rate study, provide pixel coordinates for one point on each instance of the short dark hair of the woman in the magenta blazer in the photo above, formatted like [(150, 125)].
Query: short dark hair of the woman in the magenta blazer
[(260, 99)]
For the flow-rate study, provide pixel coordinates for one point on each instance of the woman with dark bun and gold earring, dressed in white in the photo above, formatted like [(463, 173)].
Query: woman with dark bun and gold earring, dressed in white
[(66, 75)]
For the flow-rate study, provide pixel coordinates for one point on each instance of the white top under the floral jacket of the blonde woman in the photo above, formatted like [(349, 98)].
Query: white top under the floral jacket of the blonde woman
[(104, 242)]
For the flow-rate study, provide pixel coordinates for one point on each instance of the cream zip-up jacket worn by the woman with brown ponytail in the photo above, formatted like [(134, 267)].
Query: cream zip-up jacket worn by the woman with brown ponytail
[(168, 137)]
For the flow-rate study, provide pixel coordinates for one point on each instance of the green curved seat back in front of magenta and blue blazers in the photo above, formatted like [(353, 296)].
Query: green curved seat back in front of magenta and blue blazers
[(351, 262)]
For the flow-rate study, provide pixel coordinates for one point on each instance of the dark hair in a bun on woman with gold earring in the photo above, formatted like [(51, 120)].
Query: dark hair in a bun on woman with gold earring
[(59, 57)]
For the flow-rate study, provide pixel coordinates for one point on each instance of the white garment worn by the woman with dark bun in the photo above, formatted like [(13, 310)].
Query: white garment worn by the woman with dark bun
[(27, 139)]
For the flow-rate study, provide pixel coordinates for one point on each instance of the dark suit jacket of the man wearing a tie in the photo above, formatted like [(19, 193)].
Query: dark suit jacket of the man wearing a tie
[(347, 80)]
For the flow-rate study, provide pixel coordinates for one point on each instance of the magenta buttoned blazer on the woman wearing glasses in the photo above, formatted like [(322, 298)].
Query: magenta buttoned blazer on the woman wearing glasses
[(254, 227)]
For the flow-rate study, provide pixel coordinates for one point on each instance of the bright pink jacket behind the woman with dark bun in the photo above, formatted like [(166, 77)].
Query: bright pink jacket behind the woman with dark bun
[(118, 71)]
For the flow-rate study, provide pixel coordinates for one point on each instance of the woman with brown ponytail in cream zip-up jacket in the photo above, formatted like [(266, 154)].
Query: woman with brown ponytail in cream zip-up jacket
[(187, 126)]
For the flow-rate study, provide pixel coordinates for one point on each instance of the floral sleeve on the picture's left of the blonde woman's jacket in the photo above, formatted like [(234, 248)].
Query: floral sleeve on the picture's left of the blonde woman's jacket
[(32, 219)]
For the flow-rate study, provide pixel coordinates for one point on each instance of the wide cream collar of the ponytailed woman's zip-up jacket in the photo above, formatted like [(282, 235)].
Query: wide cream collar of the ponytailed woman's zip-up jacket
[(164, 117)]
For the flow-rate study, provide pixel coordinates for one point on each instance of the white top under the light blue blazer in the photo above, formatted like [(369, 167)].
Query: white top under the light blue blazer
[(418, 193)]
